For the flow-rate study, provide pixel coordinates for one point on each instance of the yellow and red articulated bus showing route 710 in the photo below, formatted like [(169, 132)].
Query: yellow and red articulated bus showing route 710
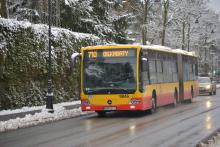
[(135, 77)]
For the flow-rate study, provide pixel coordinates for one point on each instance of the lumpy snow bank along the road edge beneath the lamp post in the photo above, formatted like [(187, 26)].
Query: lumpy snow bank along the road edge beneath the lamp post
[(60, 113)]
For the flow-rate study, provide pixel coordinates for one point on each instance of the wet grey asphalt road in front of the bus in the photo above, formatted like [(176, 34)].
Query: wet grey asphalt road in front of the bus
[(183, 126)]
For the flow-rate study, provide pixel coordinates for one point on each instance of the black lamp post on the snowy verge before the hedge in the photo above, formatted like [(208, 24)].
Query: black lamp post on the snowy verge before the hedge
[(49, 103)]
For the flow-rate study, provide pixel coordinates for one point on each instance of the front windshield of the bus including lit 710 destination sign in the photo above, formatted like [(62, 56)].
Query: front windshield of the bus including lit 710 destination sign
[(110, 71)]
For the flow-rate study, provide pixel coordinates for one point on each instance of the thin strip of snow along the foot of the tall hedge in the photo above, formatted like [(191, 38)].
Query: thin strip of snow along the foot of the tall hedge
[(27, 109)]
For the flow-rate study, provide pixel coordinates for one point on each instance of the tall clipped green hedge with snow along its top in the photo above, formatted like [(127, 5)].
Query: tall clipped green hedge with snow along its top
[(23, 63)]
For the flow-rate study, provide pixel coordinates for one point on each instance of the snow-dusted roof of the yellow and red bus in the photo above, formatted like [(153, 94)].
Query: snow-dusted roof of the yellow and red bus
[(144, 47)]
